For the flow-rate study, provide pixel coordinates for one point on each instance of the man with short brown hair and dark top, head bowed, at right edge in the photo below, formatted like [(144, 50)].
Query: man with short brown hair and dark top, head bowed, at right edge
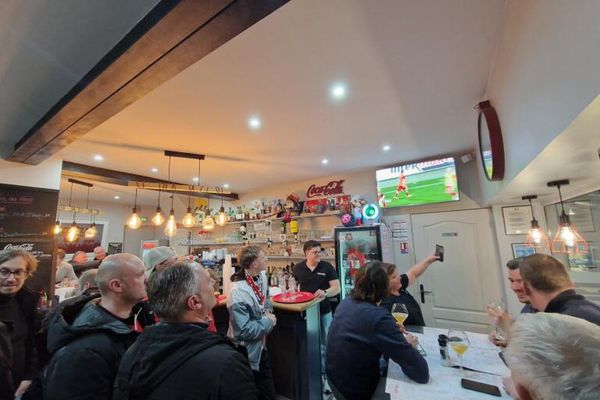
[(550, 289)]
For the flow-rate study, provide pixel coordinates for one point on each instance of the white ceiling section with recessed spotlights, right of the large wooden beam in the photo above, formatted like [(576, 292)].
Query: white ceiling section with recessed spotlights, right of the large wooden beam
[(413, 69)]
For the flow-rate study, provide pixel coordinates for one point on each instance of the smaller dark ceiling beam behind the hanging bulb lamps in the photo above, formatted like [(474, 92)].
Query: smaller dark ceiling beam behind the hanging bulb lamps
[(89, 172)]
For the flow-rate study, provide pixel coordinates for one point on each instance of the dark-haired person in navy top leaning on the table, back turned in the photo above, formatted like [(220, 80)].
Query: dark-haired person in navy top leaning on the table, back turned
[(362, 332)]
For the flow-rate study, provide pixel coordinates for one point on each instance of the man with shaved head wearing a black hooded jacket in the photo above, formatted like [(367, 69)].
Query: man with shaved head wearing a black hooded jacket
[(87, 342)]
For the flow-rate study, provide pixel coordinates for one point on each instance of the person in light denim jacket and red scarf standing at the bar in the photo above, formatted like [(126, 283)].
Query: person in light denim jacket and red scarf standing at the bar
[(251, 315)]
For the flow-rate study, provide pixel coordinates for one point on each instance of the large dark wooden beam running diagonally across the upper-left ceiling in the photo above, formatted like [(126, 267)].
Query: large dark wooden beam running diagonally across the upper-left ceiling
[(173, 36)]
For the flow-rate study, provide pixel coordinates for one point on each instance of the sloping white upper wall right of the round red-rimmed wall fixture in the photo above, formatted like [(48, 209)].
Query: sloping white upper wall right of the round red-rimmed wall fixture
[(546, 71)]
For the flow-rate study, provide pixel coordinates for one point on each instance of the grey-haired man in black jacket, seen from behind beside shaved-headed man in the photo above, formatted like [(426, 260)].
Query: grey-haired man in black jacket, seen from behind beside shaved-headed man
[(179, 358)]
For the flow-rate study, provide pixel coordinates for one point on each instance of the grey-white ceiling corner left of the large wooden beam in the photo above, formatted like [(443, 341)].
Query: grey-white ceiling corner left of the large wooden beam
[(47, 46)]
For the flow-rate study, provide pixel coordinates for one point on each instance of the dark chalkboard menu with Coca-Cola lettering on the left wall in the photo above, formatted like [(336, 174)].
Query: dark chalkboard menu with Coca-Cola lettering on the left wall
[(27, 216)]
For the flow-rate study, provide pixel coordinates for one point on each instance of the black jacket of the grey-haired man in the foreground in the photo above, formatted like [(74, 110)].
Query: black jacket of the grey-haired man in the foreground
[(183, 361)]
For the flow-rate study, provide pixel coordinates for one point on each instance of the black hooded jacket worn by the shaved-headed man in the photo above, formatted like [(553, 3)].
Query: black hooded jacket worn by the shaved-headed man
[(86, 349)]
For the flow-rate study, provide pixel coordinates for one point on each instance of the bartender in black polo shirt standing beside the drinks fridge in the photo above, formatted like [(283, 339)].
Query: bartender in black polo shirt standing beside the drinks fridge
[(319, 277)]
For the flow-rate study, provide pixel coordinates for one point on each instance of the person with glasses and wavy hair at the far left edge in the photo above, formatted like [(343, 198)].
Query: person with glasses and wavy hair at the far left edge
[(17, 323)]
